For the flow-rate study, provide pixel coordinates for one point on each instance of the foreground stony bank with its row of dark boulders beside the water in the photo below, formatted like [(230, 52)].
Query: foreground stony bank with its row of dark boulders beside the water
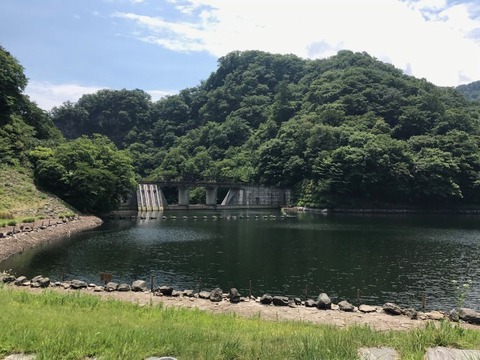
[(387, 317)]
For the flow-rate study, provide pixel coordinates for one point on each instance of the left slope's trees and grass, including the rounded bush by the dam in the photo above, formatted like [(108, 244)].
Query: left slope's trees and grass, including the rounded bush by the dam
[(36, 161)]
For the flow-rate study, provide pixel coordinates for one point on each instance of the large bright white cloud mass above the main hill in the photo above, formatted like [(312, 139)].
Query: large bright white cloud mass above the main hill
[(430, 38)]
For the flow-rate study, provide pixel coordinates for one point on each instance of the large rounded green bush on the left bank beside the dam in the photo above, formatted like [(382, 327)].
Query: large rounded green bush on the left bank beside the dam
[(88, 173)]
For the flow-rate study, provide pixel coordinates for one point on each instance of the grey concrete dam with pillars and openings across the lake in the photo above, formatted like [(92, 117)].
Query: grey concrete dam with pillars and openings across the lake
[(150, 196)]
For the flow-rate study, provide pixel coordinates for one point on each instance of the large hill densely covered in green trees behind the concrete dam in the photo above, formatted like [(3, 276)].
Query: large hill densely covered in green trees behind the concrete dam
[(349, 130)]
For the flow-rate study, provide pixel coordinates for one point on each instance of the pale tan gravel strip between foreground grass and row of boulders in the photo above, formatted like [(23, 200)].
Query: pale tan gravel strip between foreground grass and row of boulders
[(377, 319)]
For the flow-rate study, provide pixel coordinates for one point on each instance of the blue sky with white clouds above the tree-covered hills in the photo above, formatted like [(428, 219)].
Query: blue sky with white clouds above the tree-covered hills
[(73, 47)]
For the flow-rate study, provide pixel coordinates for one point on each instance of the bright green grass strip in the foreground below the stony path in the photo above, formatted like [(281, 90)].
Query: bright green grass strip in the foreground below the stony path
[(72, 326)]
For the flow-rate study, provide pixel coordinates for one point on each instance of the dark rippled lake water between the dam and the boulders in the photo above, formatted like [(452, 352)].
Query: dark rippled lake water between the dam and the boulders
[(390, 258)]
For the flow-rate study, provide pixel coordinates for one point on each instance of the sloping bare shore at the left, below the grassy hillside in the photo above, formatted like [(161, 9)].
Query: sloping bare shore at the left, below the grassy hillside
[(16, 239)]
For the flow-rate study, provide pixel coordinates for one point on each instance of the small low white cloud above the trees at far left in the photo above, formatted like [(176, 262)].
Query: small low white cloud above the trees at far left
[(48, 95)]
